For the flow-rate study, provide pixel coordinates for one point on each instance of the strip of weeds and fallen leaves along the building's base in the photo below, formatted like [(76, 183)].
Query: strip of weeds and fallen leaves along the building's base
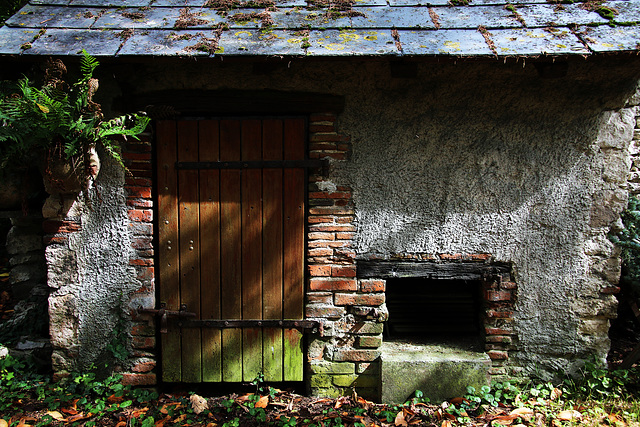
[(597, 397)]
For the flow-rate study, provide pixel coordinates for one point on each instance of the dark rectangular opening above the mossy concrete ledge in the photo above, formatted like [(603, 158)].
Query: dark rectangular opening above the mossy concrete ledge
[(433, 311)]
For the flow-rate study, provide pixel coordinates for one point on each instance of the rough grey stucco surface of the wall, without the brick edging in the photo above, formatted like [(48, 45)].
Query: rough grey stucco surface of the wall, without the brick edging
[(468, 157)]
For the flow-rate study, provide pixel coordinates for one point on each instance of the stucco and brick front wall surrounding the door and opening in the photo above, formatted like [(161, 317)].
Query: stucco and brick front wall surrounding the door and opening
[(473, 159)]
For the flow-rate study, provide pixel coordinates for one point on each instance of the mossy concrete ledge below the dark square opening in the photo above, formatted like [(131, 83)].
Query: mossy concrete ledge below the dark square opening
[(440, 372)]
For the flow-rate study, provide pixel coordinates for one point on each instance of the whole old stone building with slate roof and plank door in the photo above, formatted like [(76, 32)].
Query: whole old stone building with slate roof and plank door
[(344, 193)]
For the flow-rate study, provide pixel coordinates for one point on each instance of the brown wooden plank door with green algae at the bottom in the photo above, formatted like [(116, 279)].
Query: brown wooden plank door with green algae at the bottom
[(231, 246)]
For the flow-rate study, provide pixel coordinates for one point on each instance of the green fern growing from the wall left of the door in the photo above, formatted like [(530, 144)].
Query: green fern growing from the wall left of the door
[(58, 119)]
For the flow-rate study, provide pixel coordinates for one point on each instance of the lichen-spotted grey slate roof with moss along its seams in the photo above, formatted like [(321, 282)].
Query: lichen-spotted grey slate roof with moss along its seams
[(492, 28)]
